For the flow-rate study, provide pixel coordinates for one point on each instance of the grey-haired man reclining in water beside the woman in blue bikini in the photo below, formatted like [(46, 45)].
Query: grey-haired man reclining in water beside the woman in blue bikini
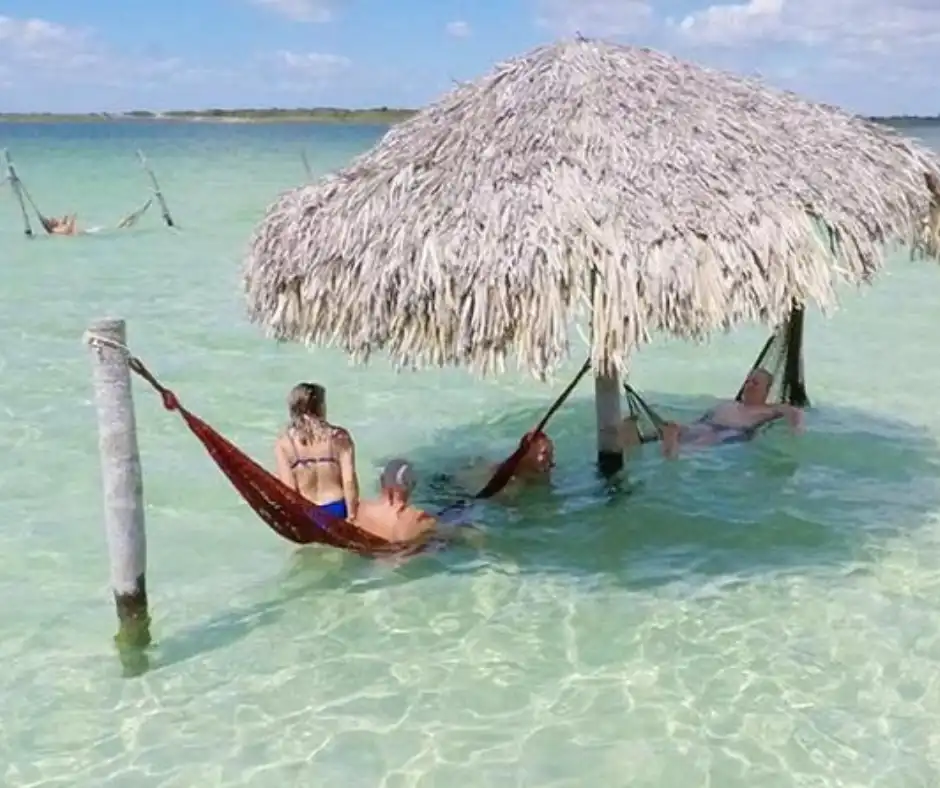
[(394, 518)]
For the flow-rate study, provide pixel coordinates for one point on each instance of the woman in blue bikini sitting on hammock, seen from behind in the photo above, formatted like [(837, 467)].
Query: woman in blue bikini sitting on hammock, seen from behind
[(316, 458)]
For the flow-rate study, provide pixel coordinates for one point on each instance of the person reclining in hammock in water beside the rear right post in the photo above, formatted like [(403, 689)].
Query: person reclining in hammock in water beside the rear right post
[(729, 421)]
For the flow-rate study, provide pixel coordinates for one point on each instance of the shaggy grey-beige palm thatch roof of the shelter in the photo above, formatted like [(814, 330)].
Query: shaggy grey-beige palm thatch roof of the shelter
[(585, 178)]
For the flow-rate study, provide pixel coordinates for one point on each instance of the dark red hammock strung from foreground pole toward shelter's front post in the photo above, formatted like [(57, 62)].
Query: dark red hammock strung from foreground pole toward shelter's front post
[(291, 515)]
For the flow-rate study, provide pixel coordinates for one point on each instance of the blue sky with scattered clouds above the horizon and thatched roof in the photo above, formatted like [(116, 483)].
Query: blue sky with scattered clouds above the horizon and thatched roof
[(871, 56)]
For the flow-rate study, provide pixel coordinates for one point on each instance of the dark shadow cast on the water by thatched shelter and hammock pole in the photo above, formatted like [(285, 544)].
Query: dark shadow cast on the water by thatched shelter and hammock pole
[(828, 497)]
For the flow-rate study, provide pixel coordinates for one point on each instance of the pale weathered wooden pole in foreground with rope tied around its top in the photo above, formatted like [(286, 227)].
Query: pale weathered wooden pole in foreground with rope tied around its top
[(122, 480)]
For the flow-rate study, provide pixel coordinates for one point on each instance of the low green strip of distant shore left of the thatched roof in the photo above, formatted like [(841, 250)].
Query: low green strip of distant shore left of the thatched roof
[(376, 116)]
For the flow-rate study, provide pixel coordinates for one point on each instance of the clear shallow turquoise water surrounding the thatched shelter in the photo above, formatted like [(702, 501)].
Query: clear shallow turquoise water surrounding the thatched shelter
[(766, 615)]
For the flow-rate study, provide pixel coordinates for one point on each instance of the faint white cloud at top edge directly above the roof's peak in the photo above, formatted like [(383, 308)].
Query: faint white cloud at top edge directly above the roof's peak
[(594, 17)]
